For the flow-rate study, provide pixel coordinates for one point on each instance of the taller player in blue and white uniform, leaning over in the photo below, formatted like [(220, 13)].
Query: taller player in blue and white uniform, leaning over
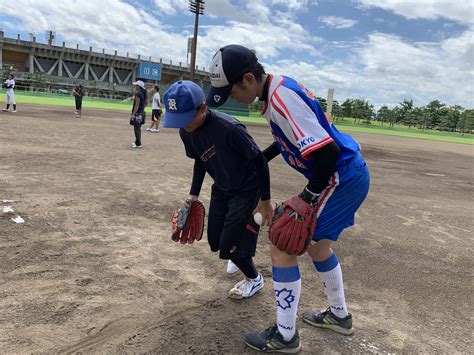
[(338, 182)]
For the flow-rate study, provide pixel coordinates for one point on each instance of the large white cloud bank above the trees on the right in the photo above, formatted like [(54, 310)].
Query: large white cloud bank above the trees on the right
[(385, 69)]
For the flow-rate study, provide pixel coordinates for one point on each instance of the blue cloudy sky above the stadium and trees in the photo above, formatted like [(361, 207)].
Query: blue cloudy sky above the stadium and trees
[(384, 51)]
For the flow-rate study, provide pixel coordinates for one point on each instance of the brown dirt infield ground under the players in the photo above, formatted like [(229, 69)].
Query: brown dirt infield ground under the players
[(93, 269)]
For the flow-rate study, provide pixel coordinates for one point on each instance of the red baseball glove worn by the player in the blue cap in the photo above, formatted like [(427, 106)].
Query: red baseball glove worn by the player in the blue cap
[(187, 223)]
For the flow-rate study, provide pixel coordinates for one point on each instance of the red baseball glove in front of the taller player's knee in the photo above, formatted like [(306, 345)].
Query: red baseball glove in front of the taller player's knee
[(293, 225)]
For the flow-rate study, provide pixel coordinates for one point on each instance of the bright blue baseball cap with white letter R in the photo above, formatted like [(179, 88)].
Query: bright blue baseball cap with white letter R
[(182, 100)]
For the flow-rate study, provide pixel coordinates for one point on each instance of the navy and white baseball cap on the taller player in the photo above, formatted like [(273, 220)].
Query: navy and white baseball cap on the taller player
[(227, 67)]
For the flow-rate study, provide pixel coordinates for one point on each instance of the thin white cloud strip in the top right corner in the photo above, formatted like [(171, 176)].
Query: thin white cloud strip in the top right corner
[(457, 10)]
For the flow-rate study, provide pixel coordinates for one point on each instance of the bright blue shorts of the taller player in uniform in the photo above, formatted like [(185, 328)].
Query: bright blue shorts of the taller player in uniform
[(339, 202)]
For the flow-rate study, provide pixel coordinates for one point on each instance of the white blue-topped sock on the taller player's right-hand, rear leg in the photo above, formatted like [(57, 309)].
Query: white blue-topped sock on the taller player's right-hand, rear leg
[(331, 275)]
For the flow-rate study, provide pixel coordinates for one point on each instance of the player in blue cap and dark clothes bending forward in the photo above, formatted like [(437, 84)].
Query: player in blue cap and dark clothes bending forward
[(221, 146)]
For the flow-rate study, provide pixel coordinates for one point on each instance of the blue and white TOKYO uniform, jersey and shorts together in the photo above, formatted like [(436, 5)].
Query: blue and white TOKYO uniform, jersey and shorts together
[(300, 127)]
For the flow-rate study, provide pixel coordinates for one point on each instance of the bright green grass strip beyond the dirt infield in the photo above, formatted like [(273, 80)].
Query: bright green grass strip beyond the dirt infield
[(343, 125)]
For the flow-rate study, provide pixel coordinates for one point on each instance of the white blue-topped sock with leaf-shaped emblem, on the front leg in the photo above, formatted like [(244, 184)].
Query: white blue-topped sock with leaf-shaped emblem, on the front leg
[(287, 284)]
